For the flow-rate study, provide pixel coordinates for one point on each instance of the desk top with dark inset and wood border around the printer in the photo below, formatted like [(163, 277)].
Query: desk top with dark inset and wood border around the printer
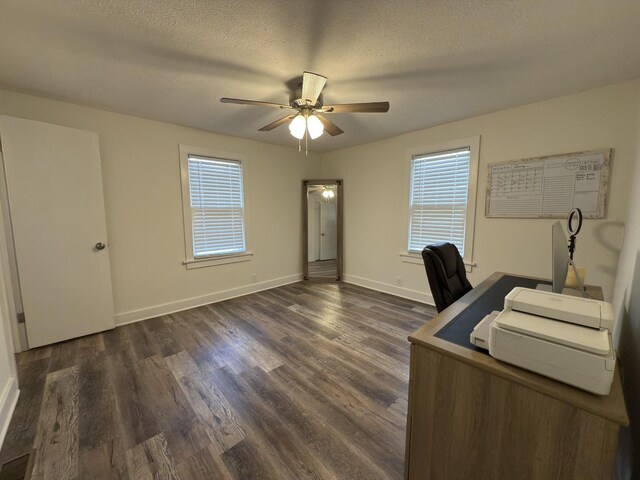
[(477, 301)]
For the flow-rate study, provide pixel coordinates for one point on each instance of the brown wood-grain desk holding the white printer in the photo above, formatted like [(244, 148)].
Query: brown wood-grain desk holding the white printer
[(471, 416)]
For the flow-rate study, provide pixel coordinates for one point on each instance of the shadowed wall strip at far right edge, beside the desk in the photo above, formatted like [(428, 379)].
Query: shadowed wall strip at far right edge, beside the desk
[(626, 302)]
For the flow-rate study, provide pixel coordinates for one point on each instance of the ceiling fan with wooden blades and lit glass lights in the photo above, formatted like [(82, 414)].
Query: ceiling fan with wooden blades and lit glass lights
[(307, 104)]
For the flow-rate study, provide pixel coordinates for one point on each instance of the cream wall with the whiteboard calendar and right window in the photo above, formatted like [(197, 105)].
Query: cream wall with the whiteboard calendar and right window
[(376, 191)]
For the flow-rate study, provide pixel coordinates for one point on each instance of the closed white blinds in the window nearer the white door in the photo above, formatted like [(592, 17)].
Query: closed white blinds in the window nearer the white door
[(217, 206)]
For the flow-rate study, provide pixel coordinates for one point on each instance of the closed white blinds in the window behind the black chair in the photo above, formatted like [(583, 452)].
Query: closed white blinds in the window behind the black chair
[(438, 201)]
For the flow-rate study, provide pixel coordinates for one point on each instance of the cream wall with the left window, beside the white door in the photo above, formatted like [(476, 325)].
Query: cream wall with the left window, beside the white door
[(141, 175)]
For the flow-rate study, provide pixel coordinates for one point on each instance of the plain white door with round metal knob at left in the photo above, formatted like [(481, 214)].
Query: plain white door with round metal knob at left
[(54, 184)]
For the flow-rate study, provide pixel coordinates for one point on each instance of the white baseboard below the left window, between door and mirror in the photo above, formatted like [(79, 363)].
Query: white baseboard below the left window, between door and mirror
[(172, 307)]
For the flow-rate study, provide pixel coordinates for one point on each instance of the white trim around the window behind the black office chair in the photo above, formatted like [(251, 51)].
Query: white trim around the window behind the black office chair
[(473, 143)]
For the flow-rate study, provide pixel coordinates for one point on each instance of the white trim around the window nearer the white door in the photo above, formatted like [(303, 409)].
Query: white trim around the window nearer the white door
[(190, 261)]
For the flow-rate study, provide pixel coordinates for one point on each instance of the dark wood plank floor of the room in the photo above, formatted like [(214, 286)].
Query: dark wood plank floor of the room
[(299, 382)]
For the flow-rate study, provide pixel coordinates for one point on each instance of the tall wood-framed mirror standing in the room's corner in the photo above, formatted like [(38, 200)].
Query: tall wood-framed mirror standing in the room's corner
[(322, 252)]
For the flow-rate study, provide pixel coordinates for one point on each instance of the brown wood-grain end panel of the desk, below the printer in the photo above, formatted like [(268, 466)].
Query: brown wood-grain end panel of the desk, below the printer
[(468, 423)]
